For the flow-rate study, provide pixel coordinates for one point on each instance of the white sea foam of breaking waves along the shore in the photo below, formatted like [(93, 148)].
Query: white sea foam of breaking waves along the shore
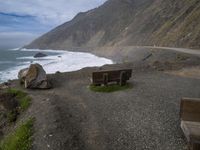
[(63, 61)]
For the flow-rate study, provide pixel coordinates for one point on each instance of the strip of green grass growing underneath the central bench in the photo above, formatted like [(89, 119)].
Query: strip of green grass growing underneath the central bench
[(109, 88)]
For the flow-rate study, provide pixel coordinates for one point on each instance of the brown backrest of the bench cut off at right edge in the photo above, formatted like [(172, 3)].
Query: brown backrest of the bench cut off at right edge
[(190, 109)]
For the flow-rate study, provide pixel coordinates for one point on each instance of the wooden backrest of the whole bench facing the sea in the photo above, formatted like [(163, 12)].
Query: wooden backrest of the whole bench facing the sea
[(112, 74)]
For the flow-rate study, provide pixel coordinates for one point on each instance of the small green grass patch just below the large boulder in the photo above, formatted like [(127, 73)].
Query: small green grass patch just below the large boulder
[(22, 97)]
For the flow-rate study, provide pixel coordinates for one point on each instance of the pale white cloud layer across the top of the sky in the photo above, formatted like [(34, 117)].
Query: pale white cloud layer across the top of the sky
[(54, 12)]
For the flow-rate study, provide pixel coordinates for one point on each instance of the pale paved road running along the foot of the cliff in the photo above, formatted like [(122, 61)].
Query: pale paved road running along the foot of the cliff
[(184, 50)]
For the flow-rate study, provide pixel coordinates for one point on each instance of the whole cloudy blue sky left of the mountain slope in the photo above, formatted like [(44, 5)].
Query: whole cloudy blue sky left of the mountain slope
[(21, 21)]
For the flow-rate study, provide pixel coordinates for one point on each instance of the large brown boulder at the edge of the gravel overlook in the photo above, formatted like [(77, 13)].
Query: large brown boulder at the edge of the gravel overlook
[(34, 77)]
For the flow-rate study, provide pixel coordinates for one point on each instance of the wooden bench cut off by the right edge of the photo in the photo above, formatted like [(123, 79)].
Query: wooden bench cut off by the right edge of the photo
[(190, 121)]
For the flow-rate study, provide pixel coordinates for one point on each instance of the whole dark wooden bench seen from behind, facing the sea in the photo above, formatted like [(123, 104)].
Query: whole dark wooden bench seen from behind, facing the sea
[(105, 77)]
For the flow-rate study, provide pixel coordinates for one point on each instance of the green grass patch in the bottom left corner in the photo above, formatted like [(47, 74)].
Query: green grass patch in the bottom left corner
[(20, 139)]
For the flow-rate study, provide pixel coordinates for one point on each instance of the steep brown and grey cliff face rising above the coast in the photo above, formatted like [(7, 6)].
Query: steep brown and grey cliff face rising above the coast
[(174, 23)]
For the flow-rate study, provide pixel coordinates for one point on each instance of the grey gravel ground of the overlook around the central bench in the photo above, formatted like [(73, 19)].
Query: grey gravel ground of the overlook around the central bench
[(146, 117)]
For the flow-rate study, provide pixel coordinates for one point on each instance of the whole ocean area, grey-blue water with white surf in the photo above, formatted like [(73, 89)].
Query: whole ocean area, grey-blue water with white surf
[(12, 61)]
